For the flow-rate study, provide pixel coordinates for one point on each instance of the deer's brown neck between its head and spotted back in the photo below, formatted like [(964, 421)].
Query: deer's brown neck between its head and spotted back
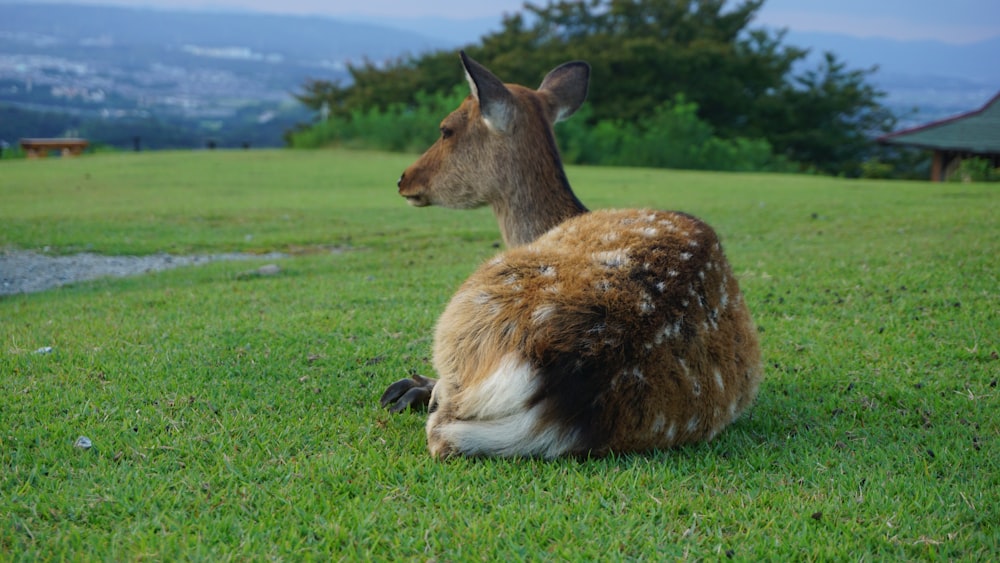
[(538, 199)]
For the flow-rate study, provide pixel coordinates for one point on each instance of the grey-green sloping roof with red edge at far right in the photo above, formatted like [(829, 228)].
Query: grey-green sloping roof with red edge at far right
[(975, 132)]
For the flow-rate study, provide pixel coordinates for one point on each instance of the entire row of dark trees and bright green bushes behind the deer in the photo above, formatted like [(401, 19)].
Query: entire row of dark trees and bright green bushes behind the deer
[(678, 83)]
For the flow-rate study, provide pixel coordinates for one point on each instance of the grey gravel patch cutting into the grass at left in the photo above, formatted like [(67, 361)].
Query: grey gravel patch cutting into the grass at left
[(27, 272)]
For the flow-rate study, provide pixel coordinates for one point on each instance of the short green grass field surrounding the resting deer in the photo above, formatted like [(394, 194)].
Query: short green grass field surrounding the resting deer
[(235, 417)]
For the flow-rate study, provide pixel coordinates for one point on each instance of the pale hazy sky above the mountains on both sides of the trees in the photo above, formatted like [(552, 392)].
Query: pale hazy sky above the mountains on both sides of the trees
[(954, 21)]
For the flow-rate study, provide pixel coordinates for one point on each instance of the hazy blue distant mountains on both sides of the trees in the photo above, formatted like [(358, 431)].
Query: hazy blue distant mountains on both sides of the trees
[(121, 62)]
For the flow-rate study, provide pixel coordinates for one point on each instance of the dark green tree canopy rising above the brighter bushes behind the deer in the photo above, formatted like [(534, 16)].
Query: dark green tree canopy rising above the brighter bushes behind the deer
[(643, 53)]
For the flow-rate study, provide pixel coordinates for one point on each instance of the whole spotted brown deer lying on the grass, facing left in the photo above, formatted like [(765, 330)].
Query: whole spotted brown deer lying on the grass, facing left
[(596, 332)]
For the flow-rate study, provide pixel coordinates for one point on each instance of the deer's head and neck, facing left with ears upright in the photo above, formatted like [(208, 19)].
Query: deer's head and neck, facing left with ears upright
[(498, 149)]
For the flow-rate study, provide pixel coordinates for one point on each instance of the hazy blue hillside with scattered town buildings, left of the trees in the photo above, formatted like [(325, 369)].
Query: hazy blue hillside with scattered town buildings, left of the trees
[(121, 73)]
